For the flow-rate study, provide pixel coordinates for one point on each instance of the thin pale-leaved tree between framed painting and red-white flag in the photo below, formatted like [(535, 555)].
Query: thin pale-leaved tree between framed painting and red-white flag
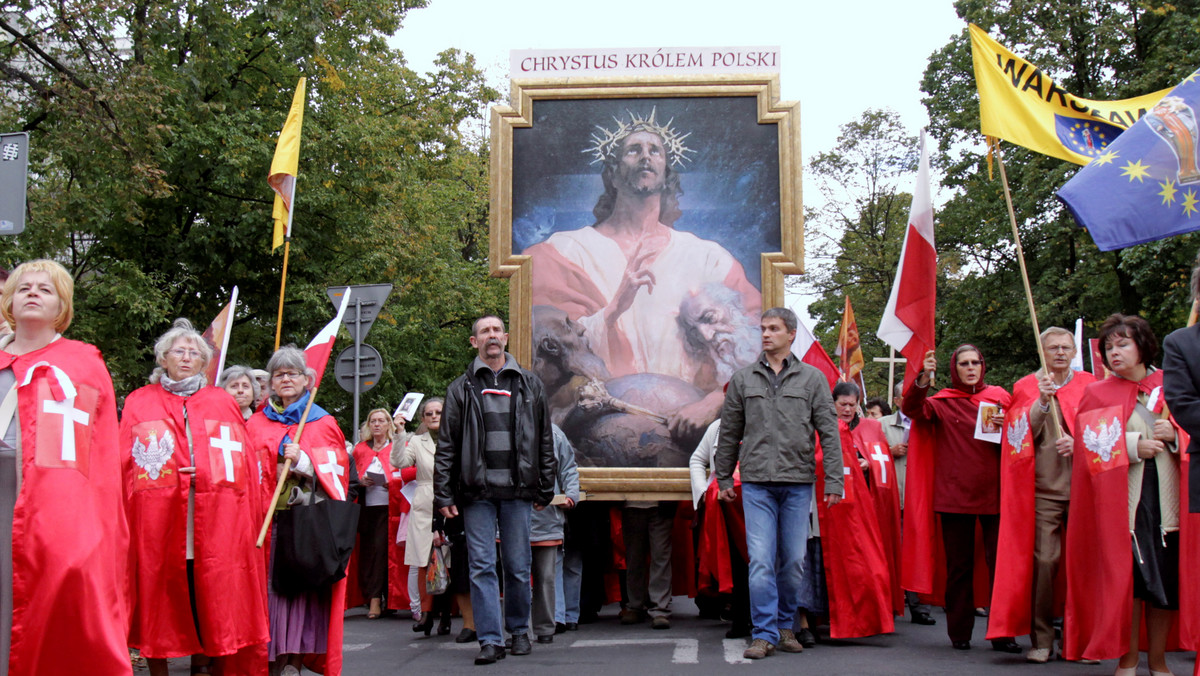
[(857, 234)]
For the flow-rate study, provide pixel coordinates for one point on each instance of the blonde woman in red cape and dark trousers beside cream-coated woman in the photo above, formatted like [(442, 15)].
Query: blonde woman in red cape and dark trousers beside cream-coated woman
[(370, 559)]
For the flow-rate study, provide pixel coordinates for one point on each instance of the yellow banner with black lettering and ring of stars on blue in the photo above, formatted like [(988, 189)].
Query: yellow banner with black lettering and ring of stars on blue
[(1022, 105)]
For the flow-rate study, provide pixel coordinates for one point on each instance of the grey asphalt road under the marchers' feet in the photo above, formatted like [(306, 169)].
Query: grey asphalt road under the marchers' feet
[(693, 647)]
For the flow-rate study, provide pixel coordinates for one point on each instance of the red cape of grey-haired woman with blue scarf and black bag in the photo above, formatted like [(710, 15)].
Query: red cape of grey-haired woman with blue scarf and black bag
[(321, 441)]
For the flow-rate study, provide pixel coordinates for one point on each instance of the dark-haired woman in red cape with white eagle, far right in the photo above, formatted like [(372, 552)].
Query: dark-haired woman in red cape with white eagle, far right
[(1129, 507)]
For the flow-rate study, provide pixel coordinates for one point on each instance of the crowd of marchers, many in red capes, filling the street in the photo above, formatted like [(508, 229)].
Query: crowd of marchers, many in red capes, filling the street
[(806, 511)]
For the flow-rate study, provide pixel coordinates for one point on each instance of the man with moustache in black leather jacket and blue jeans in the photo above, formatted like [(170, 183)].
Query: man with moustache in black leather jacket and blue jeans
[(496, 462)]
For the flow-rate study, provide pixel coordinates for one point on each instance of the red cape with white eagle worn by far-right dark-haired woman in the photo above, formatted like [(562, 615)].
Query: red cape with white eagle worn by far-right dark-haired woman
[(1100, 560)]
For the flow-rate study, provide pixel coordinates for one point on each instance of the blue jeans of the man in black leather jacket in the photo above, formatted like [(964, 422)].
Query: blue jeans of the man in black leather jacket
[(481, 519)]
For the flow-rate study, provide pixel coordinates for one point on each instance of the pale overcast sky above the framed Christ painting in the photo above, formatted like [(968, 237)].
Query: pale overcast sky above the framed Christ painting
[(838, 58)]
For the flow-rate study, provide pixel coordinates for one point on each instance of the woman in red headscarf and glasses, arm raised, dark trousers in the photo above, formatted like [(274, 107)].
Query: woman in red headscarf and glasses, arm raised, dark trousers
[(957, 477)]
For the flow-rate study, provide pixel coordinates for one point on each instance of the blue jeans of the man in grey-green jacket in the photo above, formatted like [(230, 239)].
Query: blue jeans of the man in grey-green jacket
[(777, 534)]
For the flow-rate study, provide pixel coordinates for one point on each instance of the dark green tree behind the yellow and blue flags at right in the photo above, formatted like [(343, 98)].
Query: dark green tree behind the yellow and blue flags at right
[(1095, 50)]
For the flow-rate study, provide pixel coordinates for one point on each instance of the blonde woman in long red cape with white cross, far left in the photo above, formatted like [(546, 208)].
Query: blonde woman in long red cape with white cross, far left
[(68, 608)]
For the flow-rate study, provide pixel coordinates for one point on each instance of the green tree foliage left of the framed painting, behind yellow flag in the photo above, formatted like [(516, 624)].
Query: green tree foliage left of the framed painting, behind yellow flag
[(153, 128)]
